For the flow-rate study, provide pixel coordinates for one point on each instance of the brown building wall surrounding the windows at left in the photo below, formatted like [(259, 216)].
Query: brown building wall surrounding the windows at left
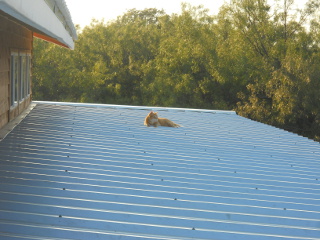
[(13, 38)]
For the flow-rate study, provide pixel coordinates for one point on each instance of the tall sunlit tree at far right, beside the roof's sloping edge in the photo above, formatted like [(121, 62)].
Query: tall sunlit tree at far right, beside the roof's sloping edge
[(286, 49)]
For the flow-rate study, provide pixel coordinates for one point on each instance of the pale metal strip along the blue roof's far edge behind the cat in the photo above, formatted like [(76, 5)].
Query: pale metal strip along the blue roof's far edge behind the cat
[(151, 108)]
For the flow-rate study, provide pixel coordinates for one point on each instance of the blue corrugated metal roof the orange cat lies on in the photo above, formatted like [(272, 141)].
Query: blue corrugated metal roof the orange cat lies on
[(73, 171)]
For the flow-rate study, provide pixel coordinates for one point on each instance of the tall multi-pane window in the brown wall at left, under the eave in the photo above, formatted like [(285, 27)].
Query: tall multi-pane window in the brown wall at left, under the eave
[(20, 77)]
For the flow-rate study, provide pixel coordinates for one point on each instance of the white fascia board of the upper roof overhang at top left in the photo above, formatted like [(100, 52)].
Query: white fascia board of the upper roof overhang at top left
[(37, 14)]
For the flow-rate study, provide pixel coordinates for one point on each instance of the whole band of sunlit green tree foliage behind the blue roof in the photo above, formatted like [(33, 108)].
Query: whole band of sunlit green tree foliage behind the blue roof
[(262, 61)]
